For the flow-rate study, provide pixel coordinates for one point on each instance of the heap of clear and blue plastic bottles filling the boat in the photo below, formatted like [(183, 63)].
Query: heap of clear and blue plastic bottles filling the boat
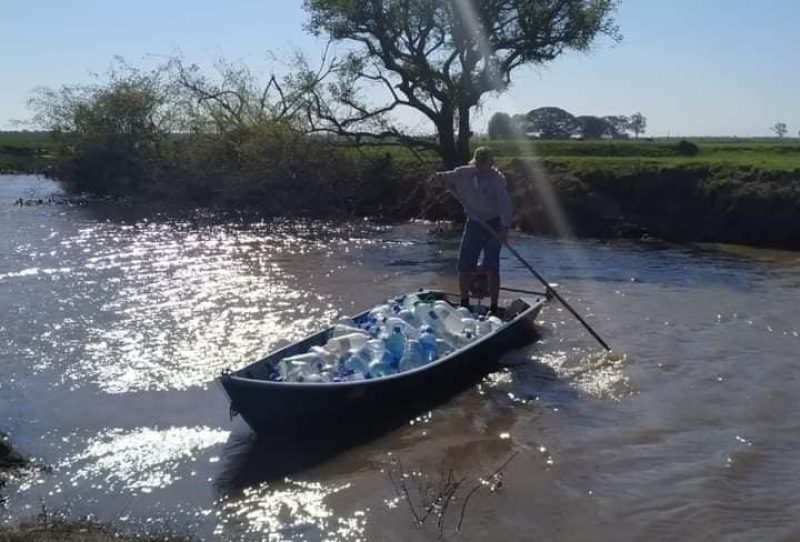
[(405, 333)]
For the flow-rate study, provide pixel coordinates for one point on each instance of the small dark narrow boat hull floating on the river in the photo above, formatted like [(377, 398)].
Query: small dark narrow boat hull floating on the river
[(269, 406)]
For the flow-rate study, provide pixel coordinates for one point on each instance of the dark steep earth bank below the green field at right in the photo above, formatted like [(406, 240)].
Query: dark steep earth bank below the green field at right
[(679, 203)]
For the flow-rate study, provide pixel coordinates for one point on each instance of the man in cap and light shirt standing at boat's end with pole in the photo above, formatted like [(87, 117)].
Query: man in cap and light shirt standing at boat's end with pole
[(483, 192)]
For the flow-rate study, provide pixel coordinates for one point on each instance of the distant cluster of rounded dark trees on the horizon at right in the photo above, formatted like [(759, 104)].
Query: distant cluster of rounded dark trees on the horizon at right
[(557, 123)]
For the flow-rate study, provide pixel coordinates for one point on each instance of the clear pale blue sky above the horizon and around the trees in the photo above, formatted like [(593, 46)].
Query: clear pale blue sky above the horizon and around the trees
[(692, 67)]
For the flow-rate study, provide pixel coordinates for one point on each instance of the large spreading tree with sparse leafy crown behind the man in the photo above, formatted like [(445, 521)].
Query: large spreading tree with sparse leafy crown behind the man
[(440, 58)]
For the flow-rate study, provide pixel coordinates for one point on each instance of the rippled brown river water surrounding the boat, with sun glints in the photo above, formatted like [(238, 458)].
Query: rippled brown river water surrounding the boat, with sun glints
[(115, 322)]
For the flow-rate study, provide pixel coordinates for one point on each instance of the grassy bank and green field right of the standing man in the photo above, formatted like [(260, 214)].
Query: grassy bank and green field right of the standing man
[(742, 192)]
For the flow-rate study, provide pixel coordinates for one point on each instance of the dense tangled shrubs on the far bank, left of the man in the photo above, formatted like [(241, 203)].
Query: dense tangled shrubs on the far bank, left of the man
[(121, 140)]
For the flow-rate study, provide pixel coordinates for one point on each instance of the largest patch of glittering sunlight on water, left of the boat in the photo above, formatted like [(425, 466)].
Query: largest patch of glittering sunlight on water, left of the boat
[(179, 305)]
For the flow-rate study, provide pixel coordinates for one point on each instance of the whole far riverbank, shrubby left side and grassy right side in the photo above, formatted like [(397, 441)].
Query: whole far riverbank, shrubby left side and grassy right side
[(744, 191)]
